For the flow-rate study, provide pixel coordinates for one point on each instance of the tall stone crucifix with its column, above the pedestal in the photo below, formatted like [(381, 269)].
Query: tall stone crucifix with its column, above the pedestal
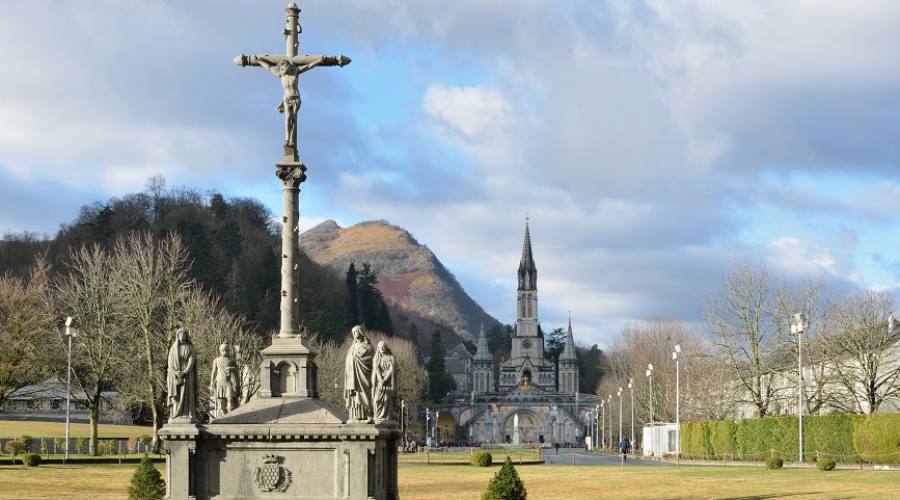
[(288, 68)]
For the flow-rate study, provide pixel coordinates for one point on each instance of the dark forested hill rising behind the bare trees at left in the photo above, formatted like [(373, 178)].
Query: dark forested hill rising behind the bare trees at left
[(233, 244)]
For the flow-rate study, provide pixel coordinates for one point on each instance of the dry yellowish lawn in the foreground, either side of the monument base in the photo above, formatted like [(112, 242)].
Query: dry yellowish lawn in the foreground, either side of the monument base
[(543, 482)]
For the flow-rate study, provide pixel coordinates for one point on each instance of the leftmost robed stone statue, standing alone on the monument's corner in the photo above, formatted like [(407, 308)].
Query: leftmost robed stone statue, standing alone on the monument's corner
[(181, 379)]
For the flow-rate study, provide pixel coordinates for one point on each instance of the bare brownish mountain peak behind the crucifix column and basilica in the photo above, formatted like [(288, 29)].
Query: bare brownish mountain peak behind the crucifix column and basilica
[(413, 281)]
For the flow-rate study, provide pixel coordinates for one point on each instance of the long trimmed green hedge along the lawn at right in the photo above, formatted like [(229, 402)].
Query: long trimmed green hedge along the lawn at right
[(841, 437)]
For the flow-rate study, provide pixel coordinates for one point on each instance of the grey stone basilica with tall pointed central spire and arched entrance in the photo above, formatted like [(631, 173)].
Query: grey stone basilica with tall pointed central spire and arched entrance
[(528, 387)]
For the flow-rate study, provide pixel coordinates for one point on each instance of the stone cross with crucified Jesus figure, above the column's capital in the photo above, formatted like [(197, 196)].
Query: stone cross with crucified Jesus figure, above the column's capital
[(288, 68)]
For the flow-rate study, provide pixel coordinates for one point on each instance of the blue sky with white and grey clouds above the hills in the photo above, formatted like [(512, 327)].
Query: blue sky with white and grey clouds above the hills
[(653, 144)]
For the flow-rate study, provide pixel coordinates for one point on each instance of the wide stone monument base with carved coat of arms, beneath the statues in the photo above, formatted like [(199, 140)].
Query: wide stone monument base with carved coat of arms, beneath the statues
[(284, 448)]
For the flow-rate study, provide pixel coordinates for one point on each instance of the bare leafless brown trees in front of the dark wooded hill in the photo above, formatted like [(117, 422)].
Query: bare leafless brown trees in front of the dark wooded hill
[(126, 301)]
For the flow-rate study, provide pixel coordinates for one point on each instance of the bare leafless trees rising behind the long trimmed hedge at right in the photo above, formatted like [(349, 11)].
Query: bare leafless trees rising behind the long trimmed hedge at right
[(745, 362)]
